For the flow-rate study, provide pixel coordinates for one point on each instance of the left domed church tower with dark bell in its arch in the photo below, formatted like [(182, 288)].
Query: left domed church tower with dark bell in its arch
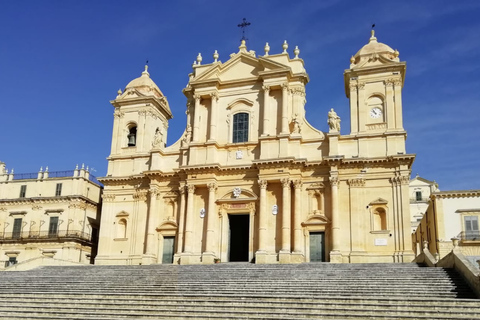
[(140, 125)]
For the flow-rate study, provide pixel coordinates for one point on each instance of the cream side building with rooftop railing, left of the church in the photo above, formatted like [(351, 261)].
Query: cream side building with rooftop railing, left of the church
[(48, 214)]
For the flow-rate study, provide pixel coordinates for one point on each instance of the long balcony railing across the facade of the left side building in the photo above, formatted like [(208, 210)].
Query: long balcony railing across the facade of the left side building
[(44, 236)]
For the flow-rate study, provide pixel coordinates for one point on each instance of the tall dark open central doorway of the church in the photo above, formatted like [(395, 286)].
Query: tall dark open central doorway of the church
[(239, 225)]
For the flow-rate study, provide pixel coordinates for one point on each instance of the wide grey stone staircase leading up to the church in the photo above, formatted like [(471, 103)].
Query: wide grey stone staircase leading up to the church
[(237, 291)]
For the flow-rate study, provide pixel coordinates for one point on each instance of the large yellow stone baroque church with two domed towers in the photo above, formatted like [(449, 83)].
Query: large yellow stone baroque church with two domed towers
[(251, 179)]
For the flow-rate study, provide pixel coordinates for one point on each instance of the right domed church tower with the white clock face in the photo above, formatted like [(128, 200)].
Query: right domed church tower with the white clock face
[(374, 85)]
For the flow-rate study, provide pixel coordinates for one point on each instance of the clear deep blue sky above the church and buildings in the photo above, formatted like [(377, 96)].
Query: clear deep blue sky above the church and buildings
[(61, 62)]
